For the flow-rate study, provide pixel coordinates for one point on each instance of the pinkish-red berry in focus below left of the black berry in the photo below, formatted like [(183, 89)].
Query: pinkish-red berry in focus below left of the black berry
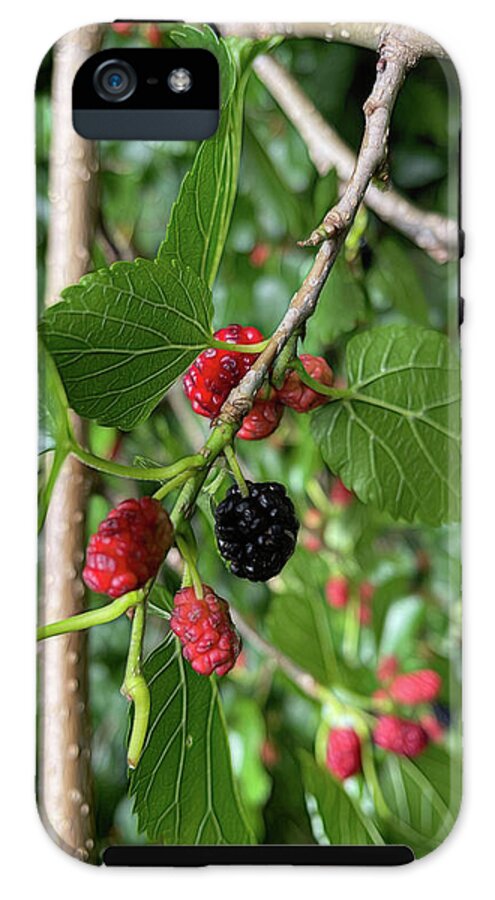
[(205, 630)]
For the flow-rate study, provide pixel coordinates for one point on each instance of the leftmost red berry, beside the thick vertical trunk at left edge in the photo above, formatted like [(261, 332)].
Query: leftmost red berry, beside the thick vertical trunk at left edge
[(128, 547)]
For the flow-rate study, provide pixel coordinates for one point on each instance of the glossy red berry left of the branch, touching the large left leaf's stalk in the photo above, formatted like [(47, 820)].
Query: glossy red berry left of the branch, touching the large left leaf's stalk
[(210, 379)]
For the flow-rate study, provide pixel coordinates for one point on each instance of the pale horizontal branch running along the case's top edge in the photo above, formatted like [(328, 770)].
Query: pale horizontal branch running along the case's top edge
[(370, 35)]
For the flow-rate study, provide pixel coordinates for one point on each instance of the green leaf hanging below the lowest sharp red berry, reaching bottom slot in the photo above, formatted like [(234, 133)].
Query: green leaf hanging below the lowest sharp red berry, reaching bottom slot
[(183, 787)]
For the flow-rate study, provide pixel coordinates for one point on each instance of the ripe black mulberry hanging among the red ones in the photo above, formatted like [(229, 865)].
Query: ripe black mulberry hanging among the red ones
[(258, 533)]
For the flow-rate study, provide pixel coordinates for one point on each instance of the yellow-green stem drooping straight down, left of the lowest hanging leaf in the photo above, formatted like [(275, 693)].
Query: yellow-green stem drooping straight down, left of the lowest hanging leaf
[(135, 688)]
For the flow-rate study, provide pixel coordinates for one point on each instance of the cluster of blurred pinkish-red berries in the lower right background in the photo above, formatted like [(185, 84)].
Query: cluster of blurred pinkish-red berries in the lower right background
[(394, 733)]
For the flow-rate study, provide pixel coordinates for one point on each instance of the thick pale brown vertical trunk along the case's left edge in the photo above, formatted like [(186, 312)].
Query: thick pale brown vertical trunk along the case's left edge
[(65, 787)]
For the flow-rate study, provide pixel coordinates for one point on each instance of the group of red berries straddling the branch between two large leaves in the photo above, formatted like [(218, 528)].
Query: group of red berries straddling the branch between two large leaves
[(209, 381)]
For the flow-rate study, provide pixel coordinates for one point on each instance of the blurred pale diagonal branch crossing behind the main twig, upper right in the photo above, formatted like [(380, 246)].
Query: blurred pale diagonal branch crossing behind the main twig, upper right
[(433, 233)]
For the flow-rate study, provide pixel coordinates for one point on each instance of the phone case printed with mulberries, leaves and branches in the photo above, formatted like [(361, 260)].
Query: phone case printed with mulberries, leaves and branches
[(249, 603)]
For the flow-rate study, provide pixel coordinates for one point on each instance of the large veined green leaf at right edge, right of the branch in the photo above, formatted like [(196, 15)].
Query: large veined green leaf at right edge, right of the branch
[(394, 440)]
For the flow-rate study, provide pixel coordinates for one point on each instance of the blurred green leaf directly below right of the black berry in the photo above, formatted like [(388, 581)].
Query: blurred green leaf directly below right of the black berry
[(300, 621)]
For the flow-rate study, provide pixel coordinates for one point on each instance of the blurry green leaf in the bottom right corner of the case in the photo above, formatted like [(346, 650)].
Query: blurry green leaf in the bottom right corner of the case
[(423, 795)]
